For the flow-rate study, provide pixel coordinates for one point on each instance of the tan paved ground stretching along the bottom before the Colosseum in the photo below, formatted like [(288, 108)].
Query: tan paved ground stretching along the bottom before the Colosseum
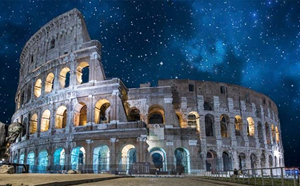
[(36, 179)]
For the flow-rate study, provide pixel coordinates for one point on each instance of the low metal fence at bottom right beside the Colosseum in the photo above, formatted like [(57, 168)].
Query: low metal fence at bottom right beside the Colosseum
[(260, 176)]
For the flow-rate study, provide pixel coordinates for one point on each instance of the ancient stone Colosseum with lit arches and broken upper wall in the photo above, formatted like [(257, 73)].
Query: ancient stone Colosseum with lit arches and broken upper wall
[(76, 118)]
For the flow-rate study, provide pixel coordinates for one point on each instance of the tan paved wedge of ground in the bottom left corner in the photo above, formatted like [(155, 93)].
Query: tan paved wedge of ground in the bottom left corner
[(33, 179)]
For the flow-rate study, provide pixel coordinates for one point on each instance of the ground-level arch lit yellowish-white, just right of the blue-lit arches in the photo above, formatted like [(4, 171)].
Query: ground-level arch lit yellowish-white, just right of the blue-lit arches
[(128, 157)]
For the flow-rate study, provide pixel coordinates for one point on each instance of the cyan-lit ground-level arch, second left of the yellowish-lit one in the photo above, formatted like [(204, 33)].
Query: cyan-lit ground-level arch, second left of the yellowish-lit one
[(78, 158)]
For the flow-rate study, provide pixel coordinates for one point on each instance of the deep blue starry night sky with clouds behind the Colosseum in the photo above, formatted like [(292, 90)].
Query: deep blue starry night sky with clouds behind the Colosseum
[(254, 44)]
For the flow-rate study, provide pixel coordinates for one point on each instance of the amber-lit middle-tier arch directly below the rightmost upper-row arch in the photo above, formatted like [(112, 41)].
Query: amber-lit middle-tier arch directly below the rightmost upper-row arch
[(80, 114)]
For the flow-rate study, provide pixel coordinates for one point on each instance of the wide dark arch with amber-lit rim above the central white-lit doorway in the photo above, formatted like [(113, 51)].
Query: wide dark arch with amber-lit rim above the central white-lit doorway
[(156, 115)]
